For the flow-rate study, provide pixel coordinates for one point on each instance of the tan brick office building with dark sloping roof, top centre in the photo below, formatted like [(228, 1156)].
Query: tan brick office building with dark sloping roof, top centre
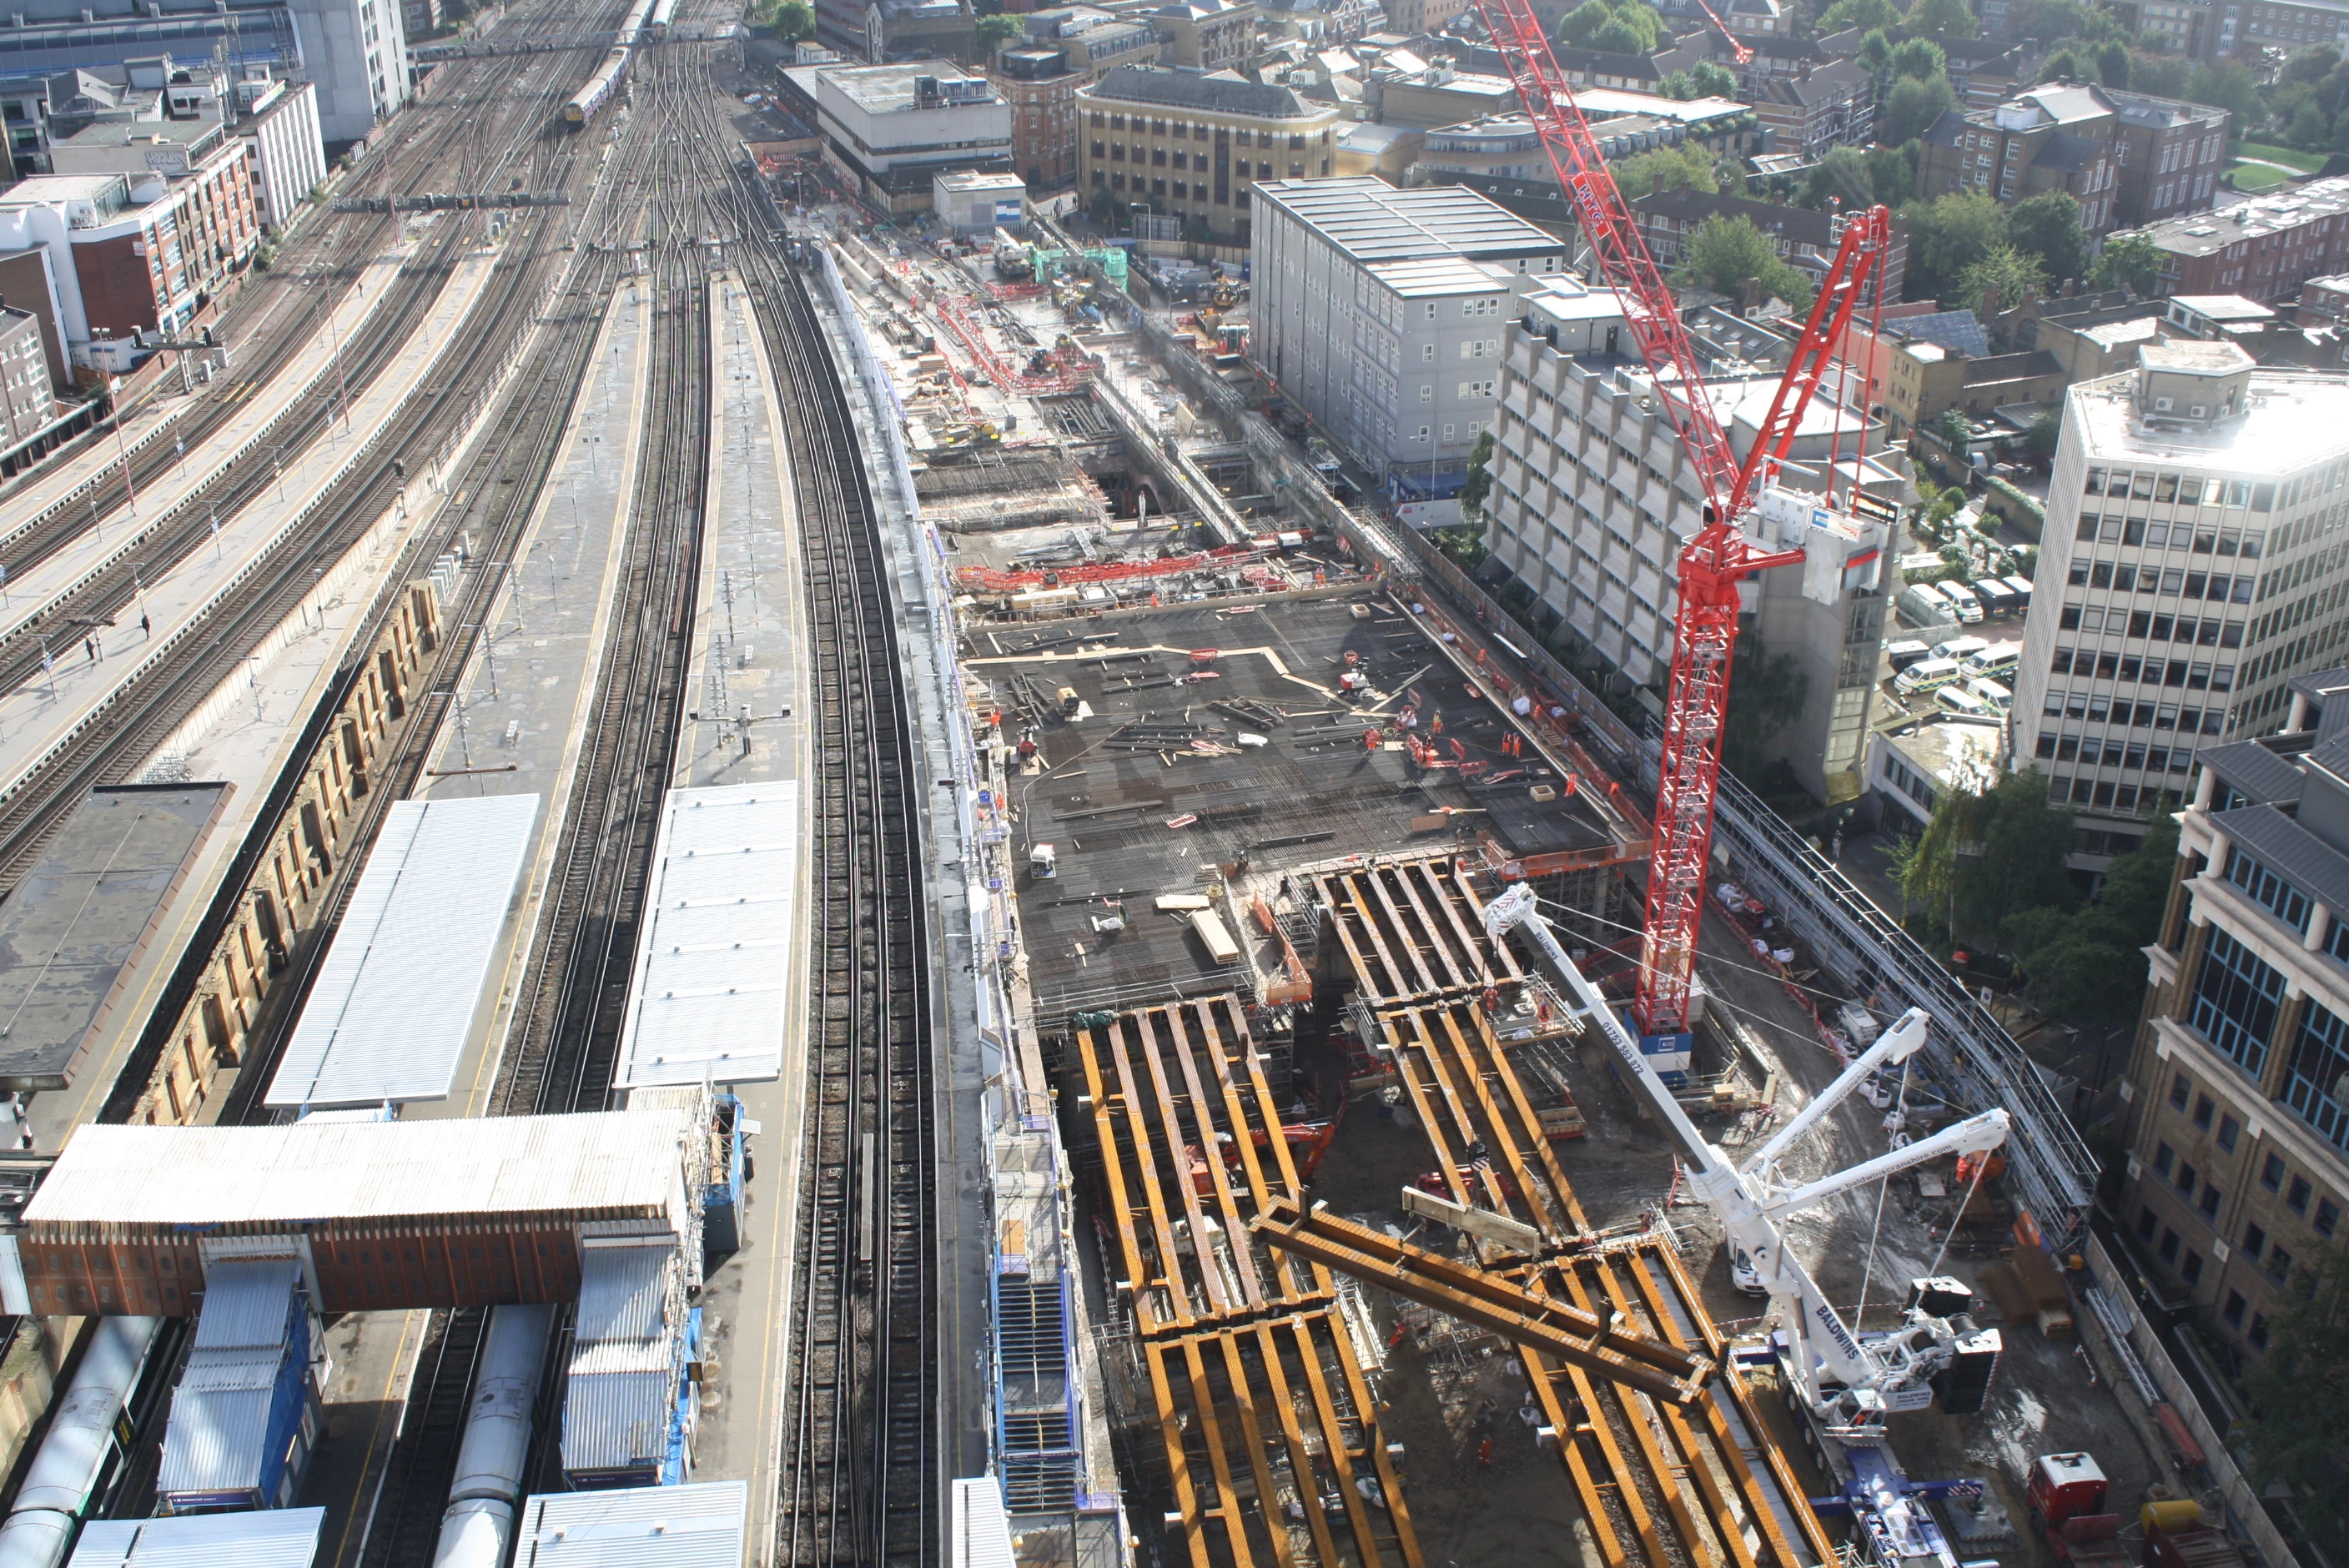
[(1192, 147)]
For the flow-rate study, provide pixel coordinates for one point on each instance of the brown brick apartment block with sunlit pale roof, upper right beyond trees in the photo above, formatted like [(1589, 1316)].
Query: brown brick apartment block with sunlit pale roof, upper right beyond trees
[(2059, 137)]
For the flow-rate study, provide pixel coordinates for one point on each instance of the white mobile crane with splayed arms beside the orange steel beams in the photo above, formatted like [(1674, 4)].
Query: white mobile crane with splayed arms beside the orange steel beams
[(1843, 1381)]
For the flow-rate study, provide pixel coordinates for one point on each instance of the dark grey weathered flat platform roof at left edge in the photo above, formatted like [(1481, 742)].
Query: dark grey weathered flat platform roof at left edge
[(79, 921)]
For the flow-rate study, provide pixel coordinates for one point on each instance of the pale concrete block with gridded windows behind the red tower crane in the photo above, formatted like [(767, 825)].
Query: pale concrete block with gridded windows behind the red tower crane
[(1594, 499)]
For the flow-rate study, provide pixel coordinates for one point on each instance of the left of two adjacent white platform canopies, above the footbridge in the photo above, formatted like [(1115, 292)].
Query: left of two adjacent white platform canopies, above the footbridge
[(396, 996)]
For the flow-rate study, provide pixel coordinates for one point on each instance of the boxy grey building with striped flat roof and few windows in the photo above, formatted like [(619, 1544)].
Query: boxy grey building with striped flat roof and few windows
[(1380, 316)]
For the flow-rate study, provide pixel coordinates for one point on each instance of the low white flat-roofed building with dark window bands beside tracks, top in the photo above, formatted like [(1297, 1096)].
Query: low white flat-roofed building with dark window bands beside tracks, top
[(894, 130)]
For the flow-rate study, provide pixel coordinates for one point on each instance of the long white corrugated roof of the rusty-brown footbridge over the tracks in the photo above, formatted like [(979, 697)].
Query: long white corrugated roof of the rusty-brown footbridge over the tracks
[(607, 1163)]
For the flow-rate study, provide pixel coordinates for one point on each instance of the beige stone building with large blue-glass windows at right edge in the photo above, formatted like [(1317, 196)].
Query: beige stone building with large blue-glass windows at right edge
[(2237, 1093)]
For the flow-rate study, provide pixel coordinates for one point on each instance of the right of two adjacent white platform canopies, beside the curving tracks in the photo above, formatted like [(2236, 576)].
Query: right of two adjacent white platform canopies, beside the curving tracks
[(713, 978)]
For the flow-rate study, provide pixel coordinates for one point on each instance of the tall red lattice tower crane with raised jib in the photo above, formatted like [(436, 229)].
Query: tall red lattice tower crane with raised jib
[(1721, 555)]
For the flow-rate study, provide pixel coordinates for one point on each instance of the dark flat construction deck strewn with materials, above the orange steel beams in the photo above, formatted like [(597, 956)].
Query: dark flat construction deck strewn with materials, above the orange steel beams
[(1152, 788)]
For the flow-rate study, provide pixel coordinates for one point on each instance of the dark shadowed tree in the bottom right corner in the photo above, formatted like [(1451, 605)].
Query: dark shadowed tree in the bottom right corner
[(2301, 1395)]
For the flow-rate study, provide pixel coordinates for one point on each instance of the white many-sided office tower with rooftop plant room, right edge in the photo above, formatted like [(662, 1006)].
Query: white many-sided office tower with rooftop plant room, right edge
[(2190, 569)]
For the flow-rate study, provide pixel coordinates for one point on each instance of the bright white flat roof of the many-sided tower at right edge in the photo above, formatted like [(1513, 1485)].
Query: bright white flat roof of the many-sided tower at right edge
[(2294, 424)]
